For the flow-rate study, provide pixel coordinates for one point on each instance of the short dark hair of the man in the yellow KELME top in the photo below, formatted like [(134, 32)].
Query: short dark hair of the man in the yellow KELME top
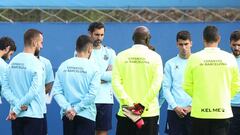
[(210, 34)]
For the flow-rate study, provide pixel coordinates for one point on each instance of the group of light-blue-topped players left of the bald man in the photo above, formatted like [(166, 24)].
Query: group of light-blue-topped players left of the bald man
[(82, 85)]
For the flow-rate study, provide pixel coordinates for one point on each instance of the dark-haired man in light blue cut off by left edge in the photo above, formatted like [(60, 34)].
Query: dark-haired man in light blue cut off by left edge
[(7, 48)]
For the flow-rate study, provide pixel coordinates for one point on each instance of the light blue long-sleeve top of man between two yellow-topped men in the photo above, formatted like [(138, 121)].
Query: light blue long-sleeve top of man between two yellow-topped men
[(172, 83)]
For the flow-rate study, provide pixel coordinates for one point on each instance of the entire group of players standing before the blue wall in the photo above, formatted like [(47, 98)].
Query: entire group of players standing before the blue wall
[(197, 87)]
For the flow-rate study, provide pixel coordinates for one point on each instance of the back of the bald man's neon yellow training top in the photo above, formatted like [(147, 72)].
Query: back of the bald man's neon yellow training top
[(140, 67)]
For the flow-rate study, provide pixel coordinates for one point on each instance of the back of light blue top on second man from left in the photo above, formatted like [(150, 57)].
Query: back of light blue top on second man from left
[(25, 78)]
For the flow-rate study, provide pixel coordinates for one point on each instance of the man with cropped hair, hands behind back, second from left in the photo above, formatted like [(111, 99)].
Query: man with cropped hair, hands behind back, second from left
[(23, 87)]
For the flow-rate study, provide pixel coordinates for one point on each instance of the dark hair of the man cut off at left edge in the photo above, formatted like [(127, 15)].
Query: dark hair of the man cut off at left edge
[(7, 41)]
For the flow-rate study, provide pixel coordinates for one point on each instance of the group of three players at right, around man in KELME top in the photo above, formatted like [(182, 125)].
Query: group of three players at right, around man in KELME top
[(199, 87)]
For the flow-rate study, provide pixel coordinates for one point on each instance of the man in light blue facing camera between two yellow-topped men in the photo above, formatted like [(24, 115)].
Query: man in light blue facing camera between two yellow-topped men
[(179, 102)]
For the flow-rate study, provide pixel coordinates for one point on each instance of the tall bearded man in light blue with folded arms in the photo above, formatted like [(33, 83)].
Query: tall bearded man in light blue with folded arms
[(104, 57)]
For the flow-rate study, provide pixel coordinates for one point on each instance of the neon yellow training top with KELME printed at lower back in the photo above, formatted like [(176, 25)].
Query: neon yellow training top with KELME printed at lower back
[(214, 74)]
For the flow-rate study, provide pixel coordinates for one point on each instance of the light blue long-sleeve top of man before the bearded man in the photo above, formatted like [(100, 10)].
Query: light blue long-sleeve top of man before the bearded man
[(76, 85)]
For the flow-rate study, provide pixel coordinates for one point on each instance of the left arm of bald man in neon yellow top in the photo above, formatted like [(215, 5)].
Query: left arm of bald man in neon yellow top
[(117, 84)]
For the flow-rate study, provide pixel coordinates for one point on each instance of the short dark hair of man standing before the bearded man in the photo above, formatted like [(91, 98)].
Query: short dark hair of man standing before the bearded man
[(82, 43)]
